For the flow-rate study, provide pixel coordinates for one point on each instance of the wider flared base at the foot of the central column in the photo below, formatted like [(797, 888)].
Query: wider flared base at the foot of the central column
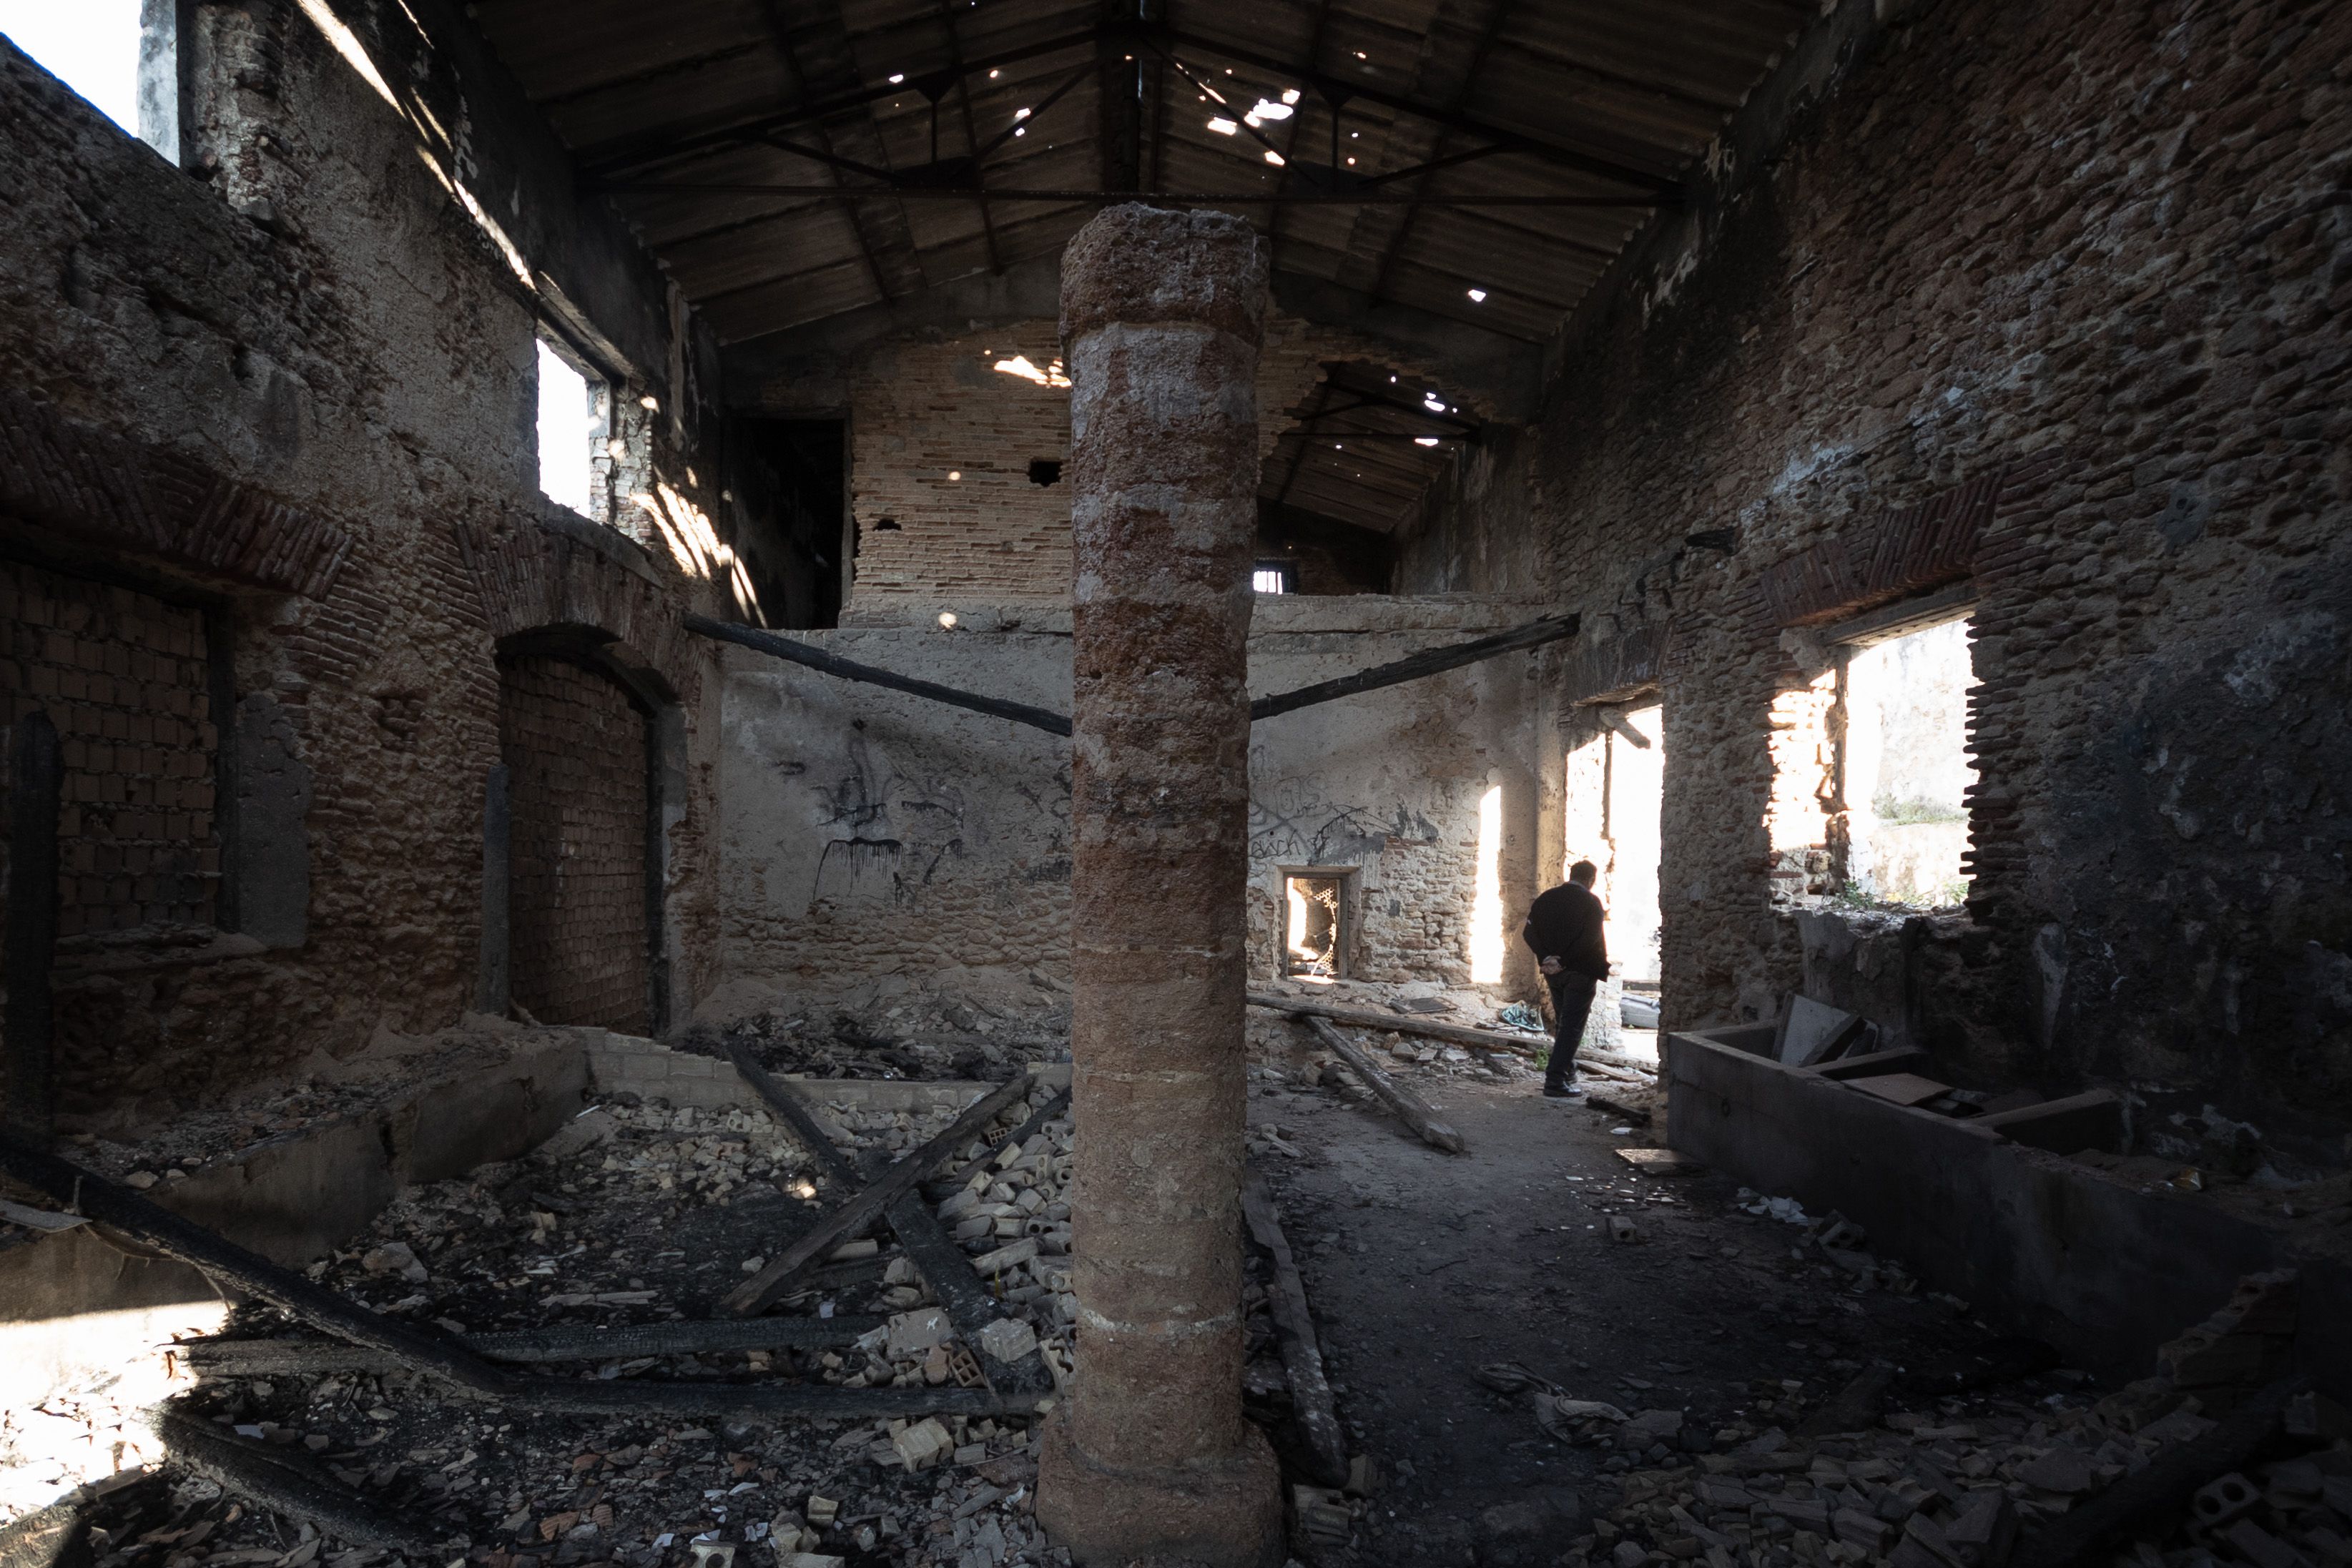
[(1198, 1517)]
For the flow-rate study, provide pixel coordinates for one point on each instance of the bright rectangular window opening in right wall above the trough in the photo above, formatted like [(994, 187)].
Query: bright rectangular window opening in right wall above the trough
[(1906, 768)]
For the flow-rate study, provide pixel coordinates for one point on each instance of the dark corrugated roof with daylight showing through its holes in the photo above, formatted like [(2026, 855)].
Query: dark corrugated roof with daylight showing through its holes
[(721, 130)]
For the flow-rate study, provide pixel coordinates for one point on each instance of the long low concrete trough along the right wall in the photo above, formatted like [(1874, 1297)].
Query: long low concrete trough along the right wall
[(2094, 1264)]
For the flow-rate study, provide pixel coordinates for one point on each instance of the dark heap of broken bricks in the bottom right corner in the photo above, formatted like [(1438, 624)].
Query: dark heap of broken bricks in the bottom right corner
[(1986, 1482)]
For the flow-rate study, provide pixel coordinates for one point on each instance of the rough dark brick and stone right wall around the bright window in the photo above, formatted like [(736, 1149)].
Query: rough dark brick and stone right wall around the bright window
[(2094, 262)]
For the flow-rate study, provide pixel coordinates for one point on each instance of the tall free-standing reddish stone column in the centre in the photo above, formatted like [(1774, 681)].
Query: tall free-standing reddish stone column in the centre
[(1151, 1459)]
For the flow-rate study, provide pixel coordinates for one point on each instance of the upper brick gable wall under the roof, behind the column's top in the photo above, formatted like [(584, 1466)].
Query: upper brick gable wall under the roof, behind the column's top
[(942, 448)]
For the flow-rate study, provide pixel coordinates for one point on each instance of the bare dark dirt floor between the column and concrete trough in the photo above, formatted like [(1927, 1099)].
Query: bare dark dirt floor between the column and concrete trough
[(1429, 1266)]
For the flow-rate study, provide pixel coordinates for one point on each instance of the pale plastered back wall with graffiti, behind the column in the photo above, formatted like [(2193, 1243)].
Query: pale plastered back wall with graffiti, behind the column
[(871, 833)]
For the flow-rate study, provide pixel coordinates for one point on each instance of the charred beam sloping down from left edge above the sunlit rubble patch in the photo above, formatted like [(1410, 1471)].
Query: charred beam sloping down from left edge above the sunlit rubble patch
[(222, 1261)]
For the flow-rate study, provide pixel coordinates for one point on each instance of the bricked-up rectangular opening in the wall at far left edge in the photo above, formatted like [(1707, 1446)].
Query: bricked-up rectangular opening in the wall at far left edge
[(123, 676)]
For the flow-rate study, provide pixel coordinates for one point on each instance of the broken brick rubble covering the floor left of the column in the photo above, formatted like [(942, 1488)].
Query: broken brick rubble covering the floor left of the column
[(641, 1214)]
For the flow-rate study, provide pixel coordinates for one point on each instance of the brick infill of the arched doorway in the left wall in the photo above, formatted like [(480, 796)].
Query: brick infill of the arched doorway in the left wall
[(577, 777)]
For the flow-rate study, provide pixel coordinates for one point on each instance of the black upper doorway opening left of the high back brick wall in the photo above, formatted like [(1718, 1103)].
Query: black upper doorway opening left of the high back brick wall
[(784, 521)]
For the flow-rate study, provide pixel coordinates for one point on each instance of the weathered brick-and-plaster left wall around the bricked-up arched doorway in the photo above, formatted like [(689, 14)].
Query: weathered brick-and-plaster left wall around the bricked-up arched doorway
[(298, 389)]
